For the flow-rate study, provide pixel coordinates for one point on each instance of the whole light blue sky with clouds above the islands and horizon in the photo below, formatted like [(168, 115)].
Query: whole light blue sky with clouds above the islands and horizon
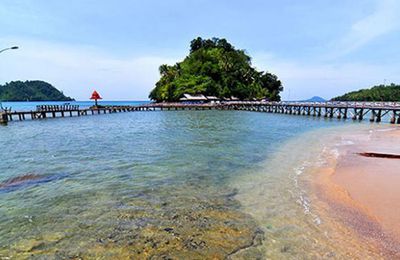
[(322, 47)]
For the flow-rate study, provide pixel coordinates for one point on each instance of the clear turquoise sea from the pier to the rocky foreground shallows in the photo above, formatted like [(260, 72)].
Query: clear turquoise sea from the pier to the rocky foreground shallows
[(142, 184)]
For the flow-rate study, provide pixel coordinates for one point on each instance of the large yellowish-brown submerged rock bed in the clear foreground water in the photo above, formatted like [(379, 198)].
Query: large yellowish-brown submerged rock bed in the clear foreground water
[(145, 227)]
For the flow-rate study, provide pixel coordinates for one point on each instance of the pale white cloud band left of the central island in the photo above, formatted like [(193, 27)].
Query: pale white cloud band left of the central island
[(77, 70)]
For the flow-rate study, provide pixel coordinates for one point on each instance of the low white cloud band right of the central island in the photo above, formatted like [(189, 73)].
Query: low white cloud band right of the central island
[(303, 80)]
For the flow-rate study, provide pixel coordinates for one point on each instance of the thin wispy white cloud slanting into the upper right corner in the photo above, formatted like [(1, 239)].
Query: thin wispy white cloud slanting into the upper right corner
[(384, 19)]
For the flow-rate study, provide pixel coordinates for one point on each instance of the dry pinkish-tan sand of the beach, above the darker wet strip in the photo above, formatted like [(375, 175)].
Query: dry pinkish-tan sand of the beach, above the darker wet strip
[(374, 182)]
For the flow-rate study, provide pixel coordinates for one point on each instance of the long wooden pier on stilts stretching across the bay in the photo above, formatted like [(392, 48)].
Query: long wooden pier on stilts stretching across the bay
[(340, 110)]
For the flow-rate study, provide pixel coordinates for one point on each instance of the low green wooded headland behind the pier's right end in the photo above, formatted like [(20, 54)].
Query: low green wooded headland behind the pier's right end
[(377, 93)]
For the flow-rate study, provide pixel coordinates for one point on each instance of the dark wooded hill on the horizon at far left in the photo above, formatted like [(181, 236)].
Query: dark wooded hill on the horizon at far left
[(31, 90)]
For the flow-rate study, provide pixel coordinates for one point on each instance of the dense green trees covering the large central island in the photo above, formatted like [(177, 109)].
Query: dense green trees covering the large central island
[(215, 68)]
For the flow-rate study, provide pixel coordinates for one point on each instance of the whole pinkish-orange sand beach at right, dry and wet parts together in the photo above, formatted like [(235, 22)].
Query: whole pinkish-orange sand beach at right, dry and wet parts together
[(363, 193)]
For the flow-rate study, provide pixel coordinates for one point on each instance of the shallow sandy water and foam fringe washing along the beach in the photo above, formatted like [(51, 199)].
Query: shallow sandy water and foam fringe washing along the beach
[(300, 225)]
